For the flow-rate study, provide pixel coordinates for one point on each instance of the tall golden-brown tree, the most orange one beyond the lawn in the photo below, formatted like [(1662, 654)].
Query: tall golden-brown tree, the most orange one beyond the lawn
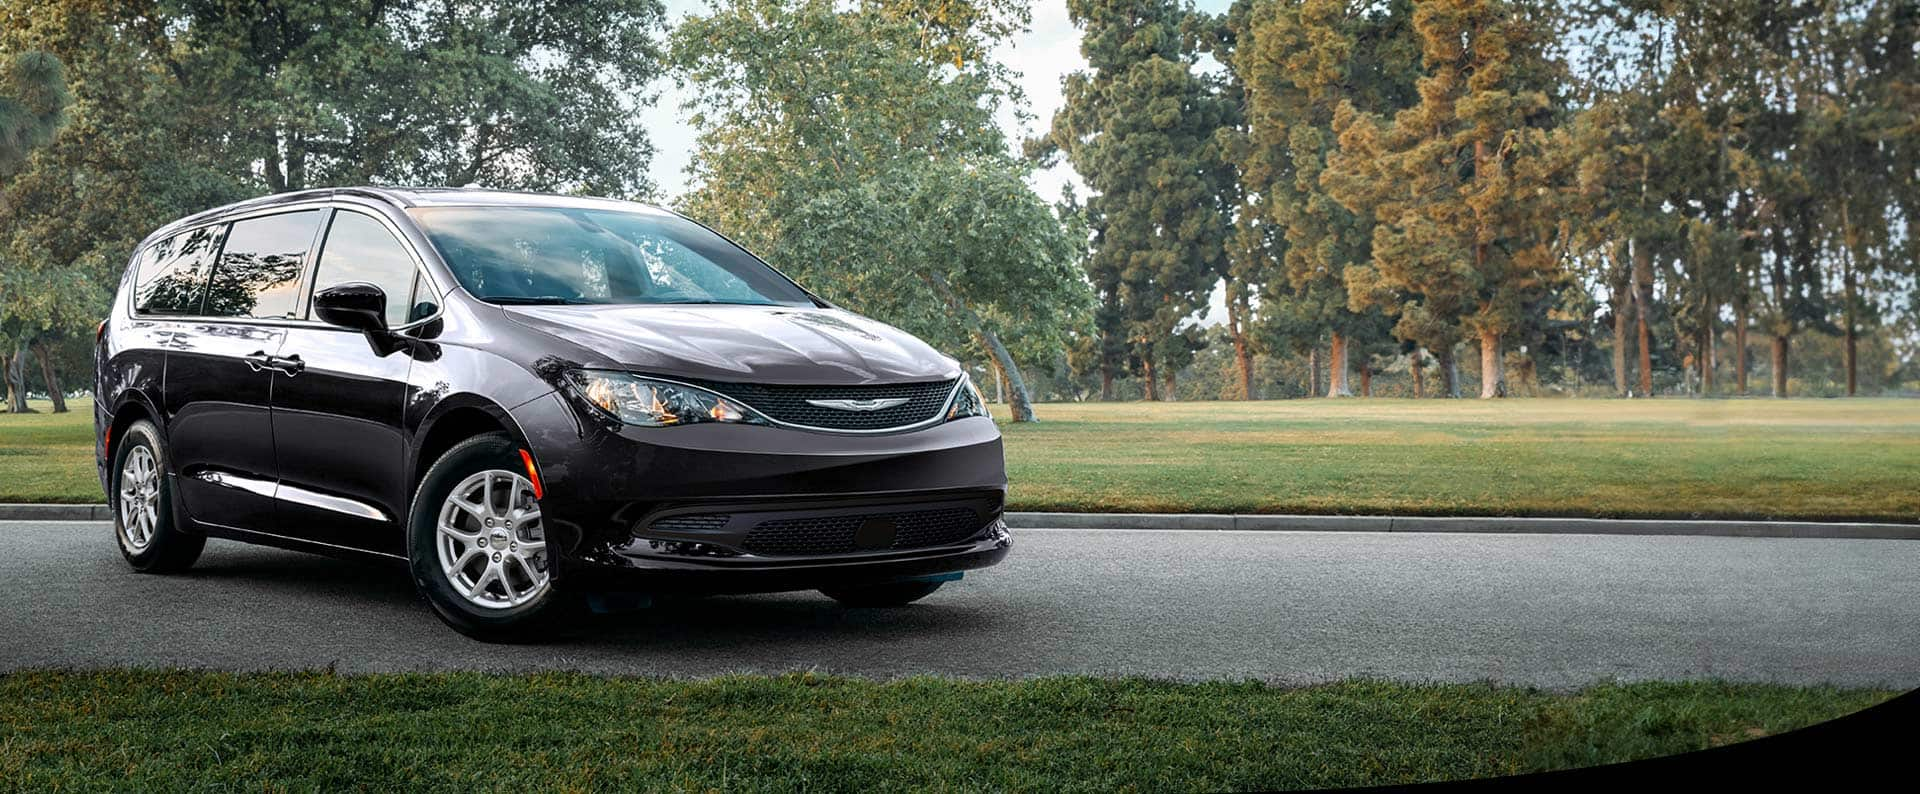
[(1462, 185)]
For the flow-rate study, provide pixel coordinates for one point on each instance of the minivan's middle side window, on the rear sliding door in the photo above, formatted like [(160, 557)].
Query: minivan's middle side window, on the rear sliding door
[(258, 273)]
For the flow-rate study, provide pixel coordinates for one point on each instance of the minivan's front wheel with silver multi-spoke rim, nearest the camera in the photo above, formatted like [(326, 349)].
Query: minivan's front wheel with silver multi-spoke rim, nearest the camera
[(491, 582)]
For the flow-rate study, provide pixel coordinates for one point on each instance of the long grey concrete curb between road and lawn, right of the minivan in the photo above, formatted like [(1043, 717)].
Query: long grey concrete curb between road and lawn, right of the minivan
[(1466, 525)]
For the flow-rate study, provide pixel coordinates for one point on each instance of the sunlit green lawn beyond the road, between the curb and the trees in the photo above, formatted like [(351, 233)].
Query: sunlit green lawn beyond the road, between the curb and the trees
[(1524, 457)]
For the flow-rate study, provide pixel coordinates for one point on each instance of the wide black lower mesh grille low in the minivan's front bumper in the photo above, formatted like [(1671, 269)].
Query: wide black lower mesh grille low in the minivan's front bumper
[(844, 534)]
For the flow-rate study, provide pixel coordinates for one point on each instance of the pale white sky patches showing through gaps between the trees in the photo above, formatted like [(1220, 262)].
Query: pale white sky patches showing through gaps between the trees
[(1044, 57)]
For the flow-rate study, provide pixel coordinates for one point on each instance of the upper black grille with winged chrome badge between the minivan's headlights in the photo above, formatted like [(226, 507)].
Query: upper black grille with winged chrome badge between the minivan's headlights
[(788, 404)]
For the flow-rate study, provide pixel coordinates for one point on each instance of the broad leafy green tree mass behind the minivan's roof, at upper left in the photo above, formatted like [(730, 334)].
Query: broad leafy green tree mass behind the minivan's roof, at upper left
[(181, 106)]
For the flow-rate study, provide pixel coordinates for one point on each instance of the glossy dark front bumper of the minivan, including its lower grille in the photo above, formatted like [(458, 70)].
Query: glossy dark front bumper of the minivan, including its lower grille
[(752, 509)]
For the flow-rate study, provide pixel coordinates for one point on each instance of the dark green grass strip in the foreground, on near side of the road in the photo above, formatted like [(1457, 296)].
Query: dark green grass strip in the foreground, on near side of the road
[(176, 730)]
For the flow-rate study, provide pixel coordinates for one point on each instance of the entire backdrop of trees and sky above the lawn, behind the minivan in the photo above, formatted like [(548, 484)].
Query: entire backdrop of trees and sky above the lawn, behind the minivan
[(1128, 200)]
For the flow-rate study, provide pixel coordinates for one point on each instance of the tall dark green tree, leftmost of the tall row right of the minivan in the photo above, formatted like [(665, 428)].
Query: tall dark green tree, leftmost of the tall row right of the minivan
[(1141, 129)]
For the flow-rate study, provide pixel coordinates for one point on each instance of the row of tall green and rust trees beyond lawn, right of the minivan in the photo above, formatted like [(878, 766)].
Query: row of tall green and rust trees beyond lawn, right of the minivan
[(1593, 197)]
